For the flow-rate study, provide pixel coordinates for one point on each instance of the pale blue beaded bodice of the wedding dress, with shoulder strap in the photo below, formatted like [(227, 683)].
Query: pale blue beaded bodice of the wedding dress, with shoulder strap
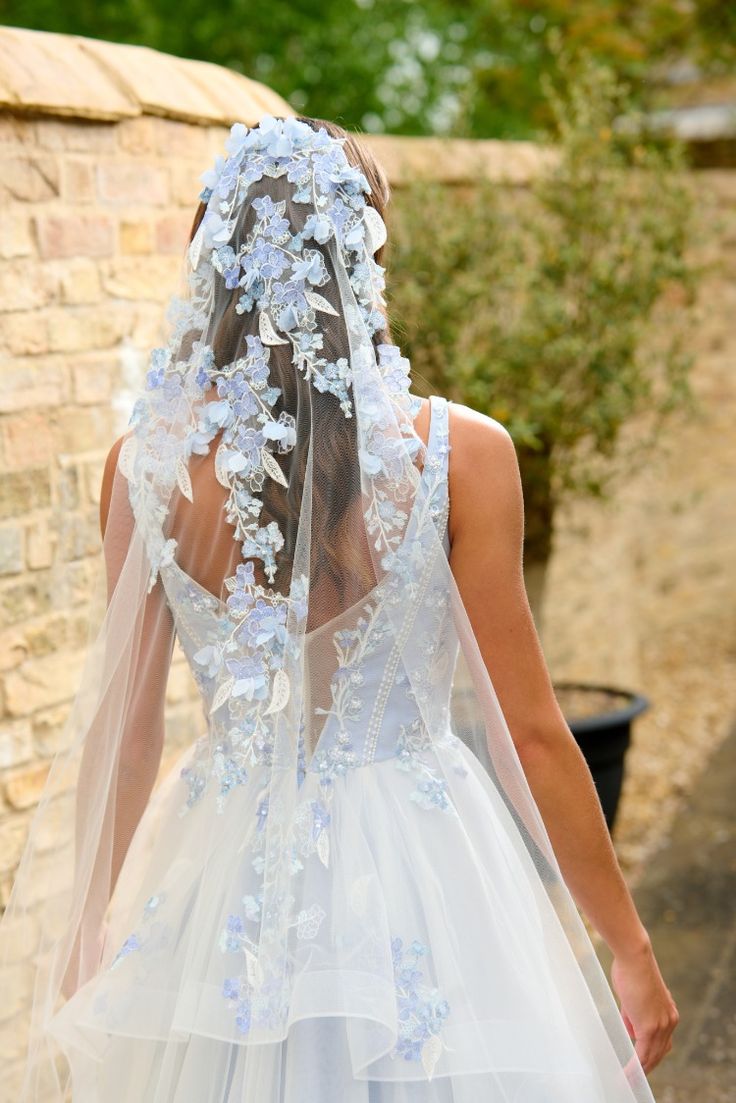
[(366, 704)]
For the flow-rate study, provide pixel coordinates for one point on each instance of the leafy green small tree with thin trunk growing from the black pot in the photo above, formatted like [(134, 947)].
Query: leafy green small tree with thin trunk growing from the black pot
[(562, 309)]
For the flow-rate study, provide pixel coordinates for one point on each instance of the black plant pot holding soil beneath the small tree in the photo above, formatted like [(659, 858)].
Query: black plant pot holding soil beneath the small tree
[(603, 734)]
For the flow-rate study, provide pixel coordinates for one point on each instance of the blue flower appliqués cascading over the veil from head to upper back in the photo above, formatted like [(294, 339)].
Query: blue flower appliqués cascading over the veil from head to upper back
[(274, 273)]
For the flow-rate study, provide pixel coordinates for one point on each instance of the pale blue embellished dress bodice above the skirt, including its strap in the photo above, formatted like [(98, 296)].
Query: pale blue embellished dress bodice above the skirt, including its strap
[(372, 708)]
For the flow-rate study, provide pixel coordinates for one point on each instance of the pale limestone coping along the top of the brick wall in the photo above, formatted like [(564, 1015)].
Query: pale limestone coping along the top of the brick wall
[(52, 74)]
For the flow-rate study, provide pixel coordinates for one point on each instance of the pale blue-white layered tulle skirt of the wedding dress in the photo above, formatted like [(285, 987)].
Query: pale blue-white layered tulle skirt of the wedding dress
[(428, 961)]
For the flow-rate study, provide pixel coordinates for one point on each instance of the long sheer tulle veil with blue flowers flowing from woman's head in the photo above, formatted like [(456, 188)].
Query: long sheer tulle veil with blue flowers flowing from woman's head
[(273, 478)]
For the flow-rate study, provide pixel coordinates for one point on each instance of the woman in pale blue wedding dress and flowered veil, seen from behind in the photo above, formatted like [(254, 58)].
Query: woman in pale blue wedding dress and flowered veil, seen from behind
[(359, 883)]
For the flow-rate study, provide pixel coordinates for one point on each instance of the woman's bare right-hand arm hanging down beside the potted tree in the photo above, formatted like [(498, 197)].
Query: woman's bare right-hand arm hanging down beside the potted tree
[(487, 529)]
